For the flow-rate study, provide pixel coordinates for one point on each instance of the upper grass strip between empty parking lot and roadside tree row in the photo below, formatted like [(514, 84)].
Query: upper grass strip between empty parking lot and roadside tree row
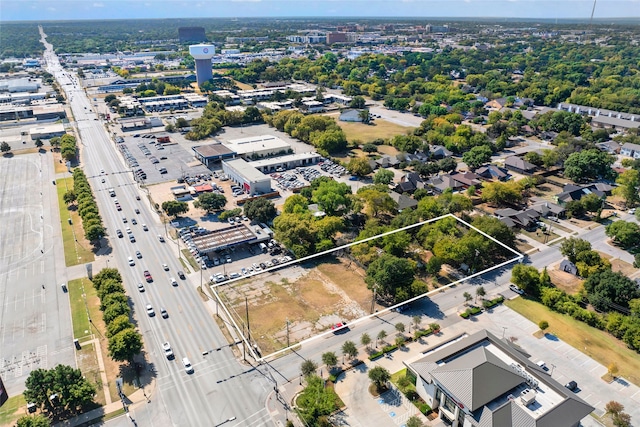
[(74, 253)]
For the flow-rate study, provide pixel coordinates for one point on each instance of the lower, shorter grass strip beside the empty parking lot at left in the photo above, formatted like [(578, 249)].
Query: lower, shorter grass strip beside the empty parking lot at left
[(79, 318)]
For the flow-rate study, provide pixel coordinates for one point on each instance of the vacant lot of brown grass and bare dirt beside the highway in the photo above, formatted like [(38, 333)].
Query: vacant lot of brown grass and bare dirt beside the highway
[(310, 298)]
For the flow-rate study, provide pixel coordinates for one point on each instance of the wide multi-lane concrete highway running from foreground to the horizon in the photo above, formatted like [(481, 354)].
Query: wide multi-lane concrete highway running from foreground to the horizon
[(220, 388)]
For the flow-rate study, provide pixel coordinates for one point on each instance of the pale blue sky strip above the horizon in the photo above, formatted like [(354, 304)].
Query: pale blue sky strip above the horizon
[(12, 10)]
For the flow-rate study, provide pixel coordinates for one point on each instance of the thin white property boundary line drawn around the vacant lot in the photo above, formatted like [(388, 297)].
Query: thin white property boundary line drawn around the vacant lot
[(519, 257)]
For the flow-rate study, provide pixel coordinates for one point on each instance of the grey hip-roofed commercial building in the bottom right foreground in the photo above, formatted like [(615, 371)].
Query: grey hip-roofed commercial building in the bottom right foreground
[(482, 380)]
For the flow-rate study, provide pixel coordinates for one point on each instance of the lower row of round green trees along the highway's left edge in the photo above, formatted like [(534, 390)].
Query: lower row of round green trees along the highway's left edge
[(124, 341)]
